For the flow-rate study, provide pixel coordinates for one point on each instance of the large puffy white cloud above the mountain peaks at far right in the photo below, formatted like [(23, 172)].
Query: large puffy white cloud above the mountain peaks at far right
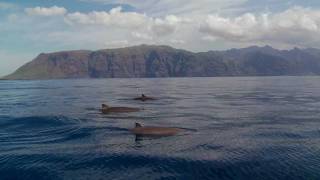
[(296, 26)]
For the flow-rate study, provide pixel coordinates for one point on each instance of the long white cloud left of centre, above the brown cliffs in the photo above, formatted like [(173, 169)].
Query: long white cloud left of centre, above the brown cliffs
[(116, 18)]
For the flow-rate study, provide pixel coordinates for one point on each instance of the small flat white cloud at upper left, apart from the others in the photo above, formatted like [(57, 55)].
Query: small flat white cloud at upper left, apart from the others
[(43, 11)]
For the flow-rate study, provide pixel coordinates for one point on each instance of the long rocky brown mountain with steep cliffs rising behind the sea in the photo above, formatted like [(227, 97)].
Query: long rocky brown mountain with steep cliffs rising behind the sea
[(165, 61)]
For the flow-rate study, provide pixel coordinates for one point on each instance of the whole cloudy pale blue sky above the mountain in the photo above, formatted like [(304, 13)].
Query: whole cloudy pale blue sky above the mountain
[(30, 27)]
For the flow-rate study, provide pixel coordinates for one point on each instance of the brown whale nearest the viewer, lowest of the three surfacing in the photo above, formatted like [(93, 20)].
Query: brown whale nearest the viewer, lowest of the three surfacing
[(140, 130)]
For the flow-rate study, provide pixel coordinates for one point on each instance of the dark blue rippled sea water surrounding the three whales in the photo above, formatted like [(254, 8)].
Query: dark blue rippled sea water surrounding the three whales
[(240, 128)]
